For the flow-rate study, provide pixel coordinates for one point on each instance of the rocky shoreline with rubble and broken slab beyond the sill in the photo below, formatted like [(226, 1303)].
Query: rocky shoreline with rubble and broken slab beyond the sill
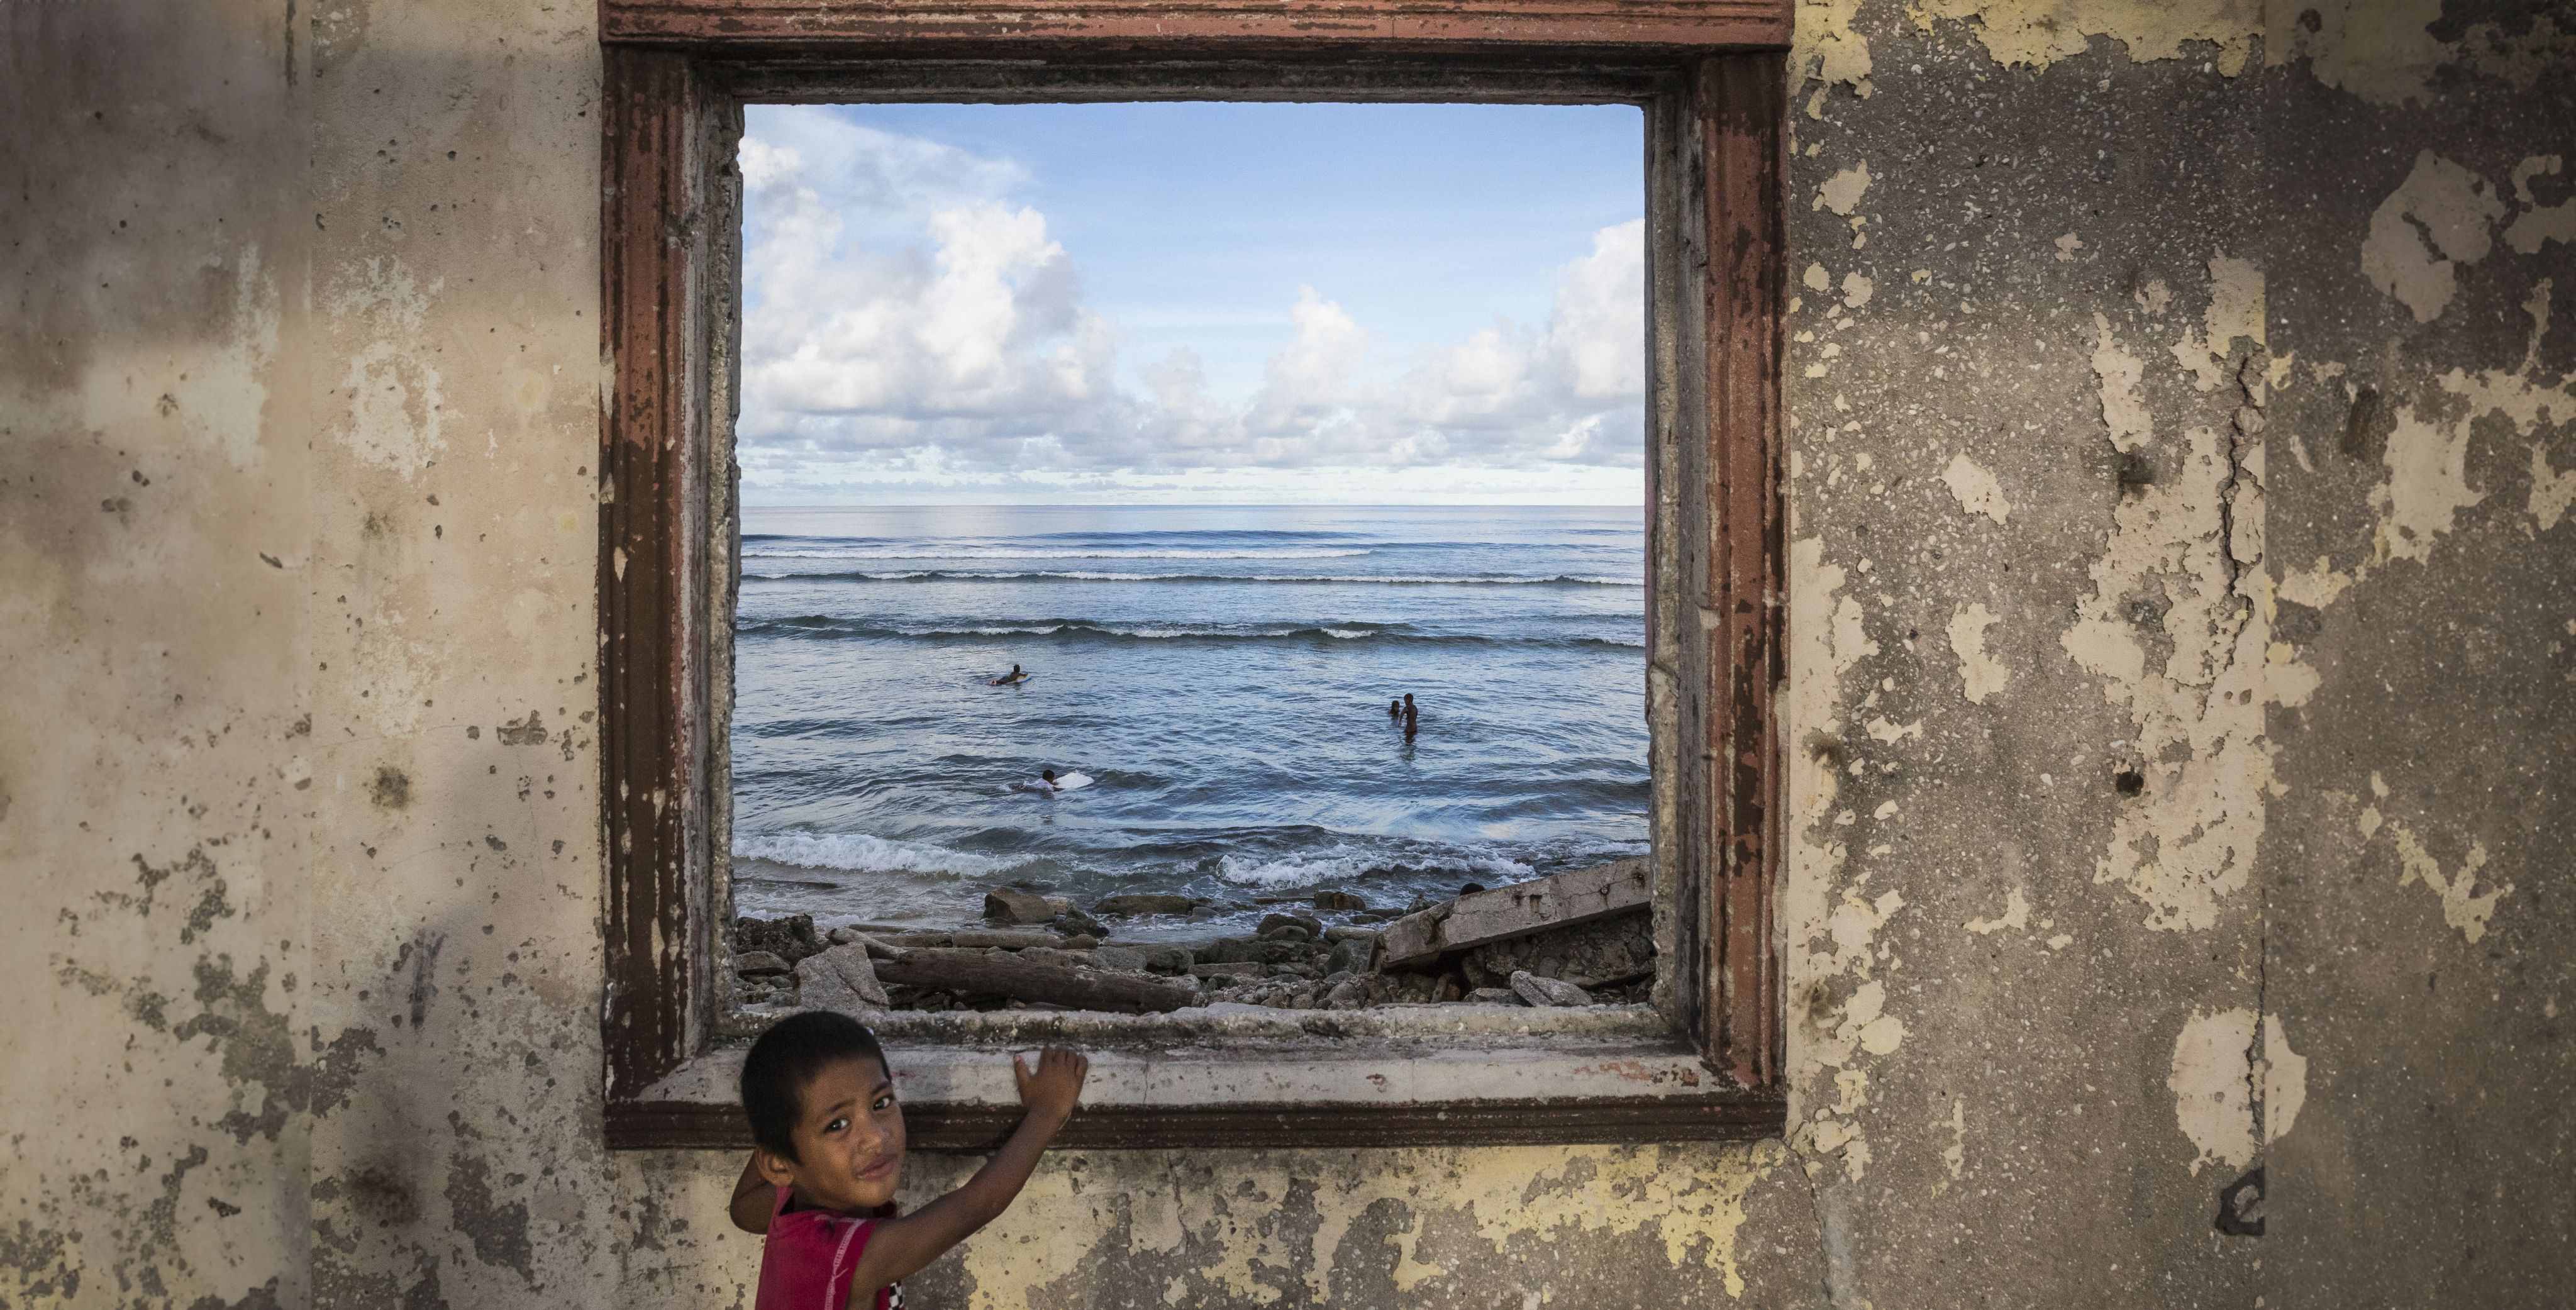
[(1567, 941)]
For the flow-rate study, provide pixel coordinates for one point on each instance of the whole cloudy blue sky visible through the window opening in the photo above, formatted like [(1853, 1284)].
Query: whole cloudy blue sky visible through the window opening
[(1194, 305)]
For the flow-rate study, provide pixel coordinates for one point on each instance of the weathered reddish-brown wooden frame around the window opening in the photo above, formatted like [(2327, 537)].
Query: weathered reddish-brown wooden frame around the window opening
[(1712, 81)]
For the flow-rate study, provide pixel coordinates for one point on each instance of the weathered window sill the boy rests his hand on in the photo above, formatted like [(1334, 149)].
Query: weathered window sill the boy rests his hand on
[(1248, 1077)]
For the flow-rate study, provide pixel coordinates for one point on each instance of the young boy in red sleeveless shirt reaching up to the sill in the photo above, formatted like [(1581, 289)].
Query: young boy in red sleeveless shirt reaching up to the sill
[(820, 1185)]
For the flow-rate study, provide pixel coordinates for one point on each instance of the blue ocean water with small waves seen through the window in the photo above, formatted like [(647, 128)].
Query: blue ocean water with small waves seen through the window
[(1220, 673)]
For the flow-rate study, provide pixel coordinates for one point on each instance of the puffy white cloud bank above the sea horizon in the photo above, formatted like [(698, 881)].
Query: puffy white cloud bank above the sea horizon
[(913, 331)]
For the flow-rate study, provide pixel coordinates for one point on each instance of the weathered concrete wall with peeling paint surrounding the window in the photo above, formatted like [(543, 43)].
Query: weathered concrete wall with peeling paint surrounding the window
[(2183, 719)]
